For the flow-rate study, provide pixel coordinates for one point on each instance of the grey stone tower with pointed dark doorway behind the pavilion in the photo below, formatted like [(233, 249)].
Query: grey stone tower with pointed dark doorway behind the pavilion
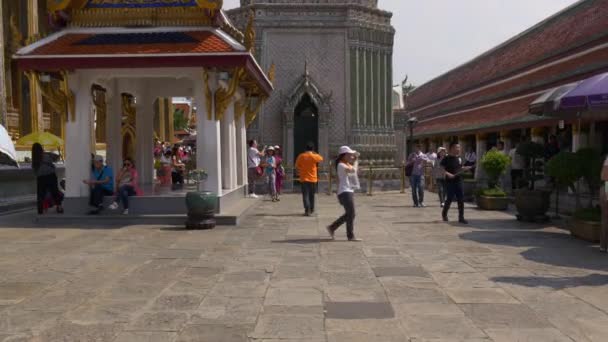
[(333, 82)]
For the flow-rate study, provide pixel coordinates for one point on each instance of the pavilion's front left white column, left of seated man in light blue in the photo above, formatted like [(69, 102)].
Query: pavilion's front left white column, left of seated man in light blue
[(78, 138)]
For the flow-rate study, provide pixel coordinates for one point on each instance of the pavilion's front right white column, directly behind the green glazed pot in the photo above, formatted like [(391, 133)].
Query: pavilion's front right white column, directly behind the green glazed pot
[(208, 151)]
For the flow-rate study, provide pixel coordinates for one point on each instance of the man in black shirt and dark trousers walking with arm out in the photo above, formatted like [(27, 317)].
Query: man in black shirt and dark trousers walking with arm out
[(452, 165)]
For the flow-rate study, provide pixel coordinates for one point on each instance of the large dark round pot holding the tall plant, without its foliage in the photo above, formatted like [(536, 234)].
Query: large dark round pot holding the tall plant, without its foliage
[(532, 205)]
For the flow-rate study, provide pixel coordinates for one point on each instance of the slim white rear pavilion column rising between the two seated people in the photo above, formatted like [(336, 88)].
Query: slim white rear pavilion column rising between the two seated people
[(113, 126)]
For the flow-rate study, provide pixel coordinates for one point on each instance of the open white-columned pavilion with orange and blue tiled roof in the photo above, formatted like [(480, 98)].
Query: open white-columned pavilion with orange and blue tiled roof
[(107, 70)]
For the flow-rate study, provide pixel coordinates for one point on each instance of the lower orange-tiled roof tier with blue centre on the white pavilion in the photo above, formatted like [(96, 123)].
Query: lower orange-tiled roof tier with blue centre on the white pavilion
[(119, 47)]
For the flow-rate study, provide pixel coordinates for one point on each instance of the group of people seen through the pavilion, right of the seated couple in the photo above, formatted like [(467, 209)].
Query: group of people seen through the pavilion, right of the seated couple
[(170, 163)]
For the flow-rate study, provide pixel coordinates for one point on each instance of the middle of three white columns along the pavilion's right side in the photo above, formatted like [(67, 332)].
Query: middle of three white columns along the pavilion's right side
[(228, 153)]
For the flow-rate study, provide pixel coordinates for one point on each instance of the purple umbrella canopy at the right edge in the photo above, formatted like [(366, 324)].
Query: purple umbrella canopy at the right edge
[(592, 93)]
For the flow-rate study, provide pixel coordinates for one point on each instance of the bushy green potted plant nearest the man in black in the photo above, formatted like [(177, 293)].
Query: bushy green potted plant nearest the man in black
[(494, 163)]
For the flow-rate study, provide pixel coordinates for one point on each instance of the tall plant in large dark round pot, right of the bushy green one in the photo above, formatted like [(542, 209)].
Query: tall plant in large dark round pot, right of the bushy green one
[(532, 203)]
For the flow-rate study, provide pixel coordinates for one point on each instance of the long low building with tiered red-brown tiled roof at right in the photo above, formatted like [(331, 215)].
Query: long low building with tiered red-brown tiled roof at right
[(489, 98)]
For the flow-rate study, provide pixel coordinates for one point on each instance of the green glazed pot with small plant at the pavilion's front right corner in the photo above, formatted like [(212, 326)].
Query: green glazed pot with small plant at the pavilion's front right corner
[(201, 205)]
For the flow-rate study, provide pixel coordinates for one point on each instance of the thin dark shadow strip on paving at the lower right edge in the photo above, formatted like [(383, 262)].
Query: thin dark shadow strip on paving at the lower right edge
[(556, 283)]
